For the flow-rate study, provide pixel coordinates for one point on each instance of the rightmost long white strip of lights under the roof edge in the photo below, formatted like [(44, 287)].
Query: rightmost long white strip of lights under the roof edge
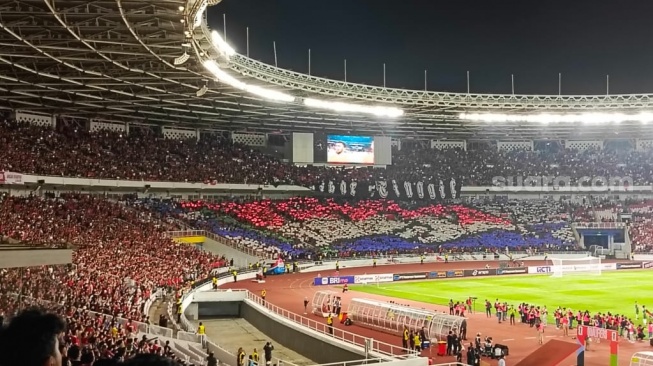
[(546, 118)]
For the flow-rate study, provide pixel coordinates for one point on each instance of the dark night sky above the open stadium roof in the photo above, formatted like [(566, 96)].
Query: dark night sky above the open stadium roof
[(534, 40)]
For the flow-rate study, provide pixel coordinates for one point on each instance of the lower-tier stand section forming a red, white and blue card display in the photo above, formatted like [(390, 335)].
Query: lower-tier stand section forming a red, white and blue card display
[(304, 226)]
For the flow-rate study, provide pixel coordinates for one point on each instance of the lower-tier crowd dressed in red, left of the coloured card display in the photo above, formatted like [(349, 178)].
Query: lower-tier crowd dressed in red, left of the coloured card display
[(121, 256)]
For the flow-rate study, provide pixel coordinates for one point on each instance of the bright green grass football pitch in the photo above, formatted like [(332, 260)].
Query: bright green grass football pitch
[(615, 291)]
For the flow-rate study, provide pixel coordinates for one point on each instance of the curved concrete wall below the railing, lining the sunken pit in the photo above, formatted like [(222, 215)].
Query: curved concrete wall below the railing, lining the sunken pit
[(296, 339)]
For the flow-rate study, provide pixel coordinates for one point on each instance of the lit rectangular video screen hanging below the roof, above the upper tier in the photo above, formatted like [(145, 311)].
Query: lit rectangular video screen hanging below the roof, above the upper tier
[(350, 149)]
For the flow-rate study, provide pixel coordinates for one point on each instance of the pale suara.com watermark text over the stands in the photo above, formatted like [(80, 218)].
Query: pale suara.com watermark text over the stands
[(539, 182)]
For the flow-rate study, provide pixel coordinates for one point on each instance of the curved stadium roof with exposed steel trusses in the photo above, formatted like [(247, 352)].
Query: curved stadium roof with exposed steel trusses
[(124, 61)]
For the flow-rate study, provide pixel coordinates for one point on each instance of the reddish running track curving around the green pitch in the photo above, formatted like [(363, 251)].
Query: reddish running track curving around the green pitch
[(288, 292)]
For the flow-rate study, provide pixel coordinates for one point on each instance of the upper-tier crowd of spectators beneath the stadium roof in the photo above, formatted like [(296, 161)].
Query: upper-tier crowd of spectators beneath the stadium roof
[(143, 154)]
